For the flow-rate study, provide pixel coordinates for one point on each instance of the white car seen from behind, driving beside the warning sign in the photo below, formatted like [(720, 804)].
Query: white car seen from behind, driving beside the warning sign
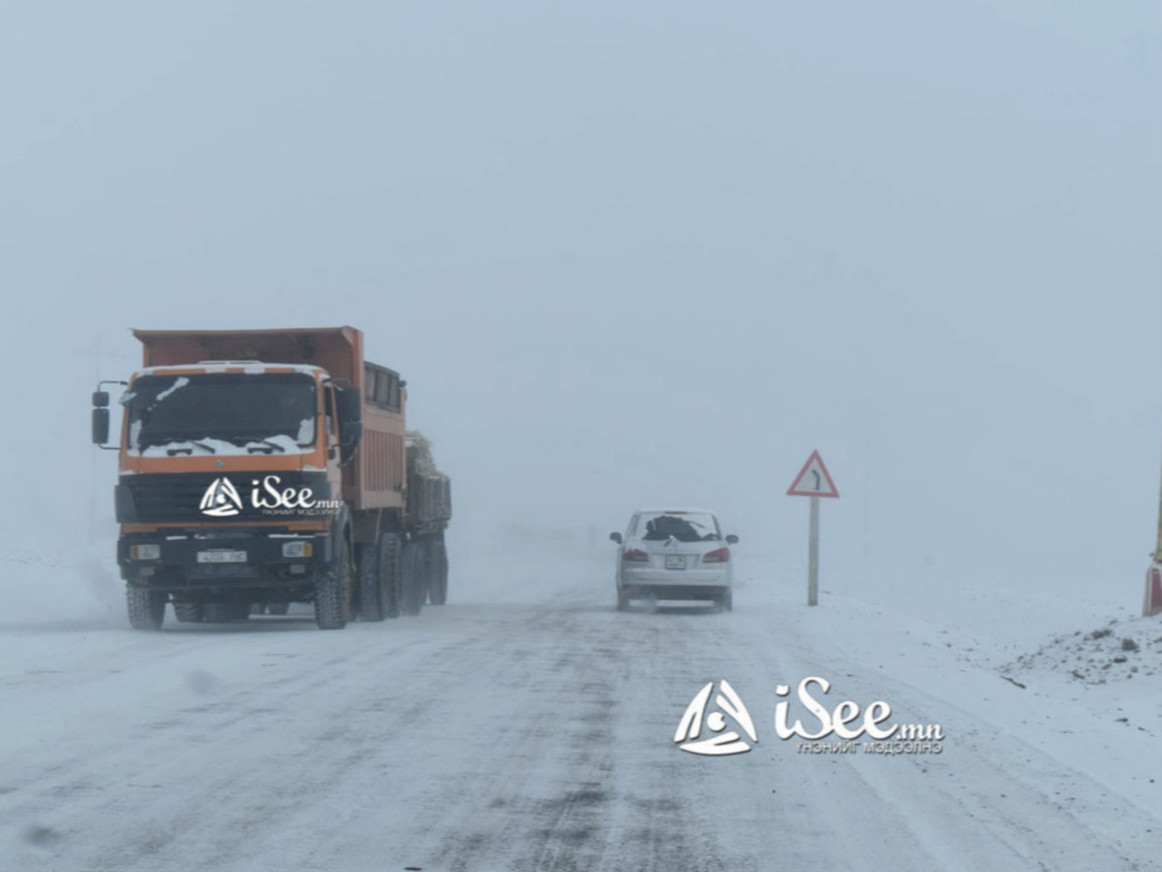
[(675, 555)]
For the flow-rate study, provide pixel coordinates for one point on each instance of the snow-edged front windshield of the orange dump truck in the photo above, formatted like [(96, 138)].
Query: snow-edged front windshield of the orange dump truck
[(221, 413)]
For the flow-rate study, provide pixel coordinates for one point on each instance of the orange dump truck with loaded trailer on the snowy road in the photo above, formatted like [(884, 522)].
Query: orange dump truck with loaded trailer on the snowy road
[(260, 469)]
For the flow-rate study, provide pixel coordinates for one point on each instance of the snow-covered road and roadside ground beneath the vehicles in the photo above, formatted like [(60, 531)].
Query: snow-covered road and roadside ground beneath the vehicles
[(528, 726)]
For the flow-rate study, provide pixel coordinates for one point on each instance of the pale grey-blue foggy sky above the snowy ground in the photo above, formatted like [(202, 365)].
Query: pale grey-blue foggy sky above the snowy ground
[(627, 255)]
